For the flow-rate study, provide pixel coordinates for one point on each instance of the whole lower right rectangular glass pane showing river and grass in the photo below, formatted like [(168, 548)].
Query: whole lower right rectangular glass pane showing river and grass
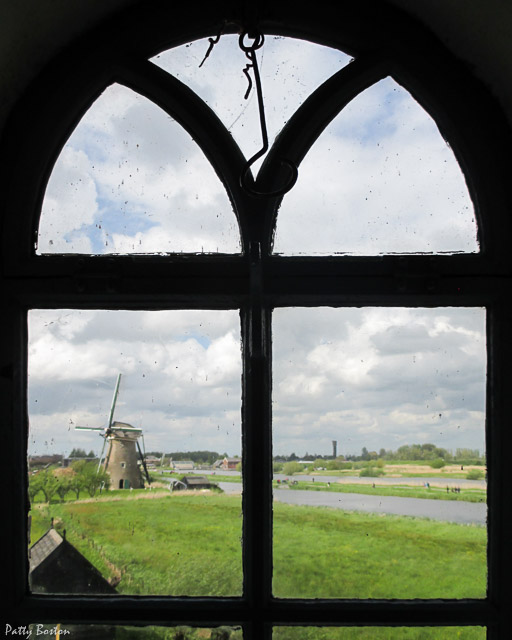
[(379, 453)]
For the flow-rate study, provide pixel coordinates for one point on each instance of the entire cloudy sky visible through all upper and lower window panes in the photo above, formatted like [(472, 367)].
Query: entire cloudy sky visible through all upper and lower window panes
[(380, 179)]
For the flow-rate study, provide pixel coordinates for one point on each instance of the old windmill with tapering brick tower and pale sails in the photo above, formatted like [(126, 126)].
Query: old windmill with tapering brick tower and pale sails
[(121, 461)]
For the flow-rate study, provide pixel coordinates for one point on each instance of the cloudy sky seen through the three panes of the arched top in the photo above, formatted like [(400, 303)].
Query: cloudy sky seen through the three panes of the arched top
[(380, 179)]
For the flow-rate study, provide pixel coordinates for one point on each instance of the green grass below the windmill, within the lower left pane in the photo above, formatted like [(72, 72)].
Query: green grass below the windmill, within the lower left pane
[(171, 545)]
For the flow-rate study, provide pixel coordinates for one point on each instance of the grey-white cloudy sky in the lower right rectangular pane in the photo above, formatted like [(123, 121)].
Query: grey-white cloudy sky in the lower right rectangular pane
[(378, 377)]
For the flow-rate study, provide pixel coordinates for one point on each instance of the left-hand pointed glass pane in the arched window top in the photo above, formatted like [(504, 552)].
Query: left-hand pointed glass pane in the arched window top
[(131, 180)]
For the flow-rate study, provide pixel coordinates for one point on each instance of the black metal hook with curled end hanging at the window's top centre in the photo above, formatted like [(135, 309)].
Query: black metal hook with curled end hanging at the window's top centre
[(250, 52)]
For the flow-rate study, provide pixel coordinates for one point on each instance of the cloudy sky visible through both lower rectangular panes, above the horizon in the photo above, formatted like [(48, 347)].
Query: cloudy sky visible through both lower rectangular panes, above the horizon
[(371, 377)]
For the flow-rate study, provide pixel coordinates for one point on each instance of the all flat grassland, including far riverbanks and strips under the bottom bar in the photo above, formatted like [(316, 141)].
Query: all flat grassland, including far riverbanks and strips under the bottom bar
[(157, 542)]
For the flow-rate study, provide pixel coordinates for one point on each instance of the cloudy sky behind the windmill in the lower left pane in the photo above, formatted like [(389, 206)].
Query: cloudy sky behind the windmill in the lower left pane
[(181, 377)]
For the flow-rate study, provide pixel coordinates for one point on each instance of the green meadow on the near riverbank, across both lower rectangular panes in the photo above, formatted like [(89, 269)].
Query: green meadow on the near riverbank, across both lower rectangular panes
[(191, 545)]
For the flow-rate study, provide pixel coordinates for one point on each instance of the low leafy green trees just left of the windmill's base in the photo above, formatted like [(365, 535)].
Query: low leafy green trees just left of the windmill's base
[(82, 476)]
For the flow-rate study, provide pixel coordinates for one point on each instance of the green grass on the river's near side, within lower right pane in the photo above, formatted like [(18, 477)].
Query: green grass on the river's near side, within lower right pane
[(327, 553)]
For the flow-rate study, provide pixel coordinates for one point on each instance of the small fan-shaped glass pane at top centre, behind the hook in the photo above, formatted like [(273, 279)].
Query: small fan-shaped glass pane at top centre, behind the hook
[(290, 71)]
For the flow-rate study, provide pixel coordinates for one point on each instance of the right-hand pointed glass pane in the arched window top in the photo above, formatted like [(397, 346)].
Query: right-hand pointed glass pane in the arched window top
[(379, 180)]
